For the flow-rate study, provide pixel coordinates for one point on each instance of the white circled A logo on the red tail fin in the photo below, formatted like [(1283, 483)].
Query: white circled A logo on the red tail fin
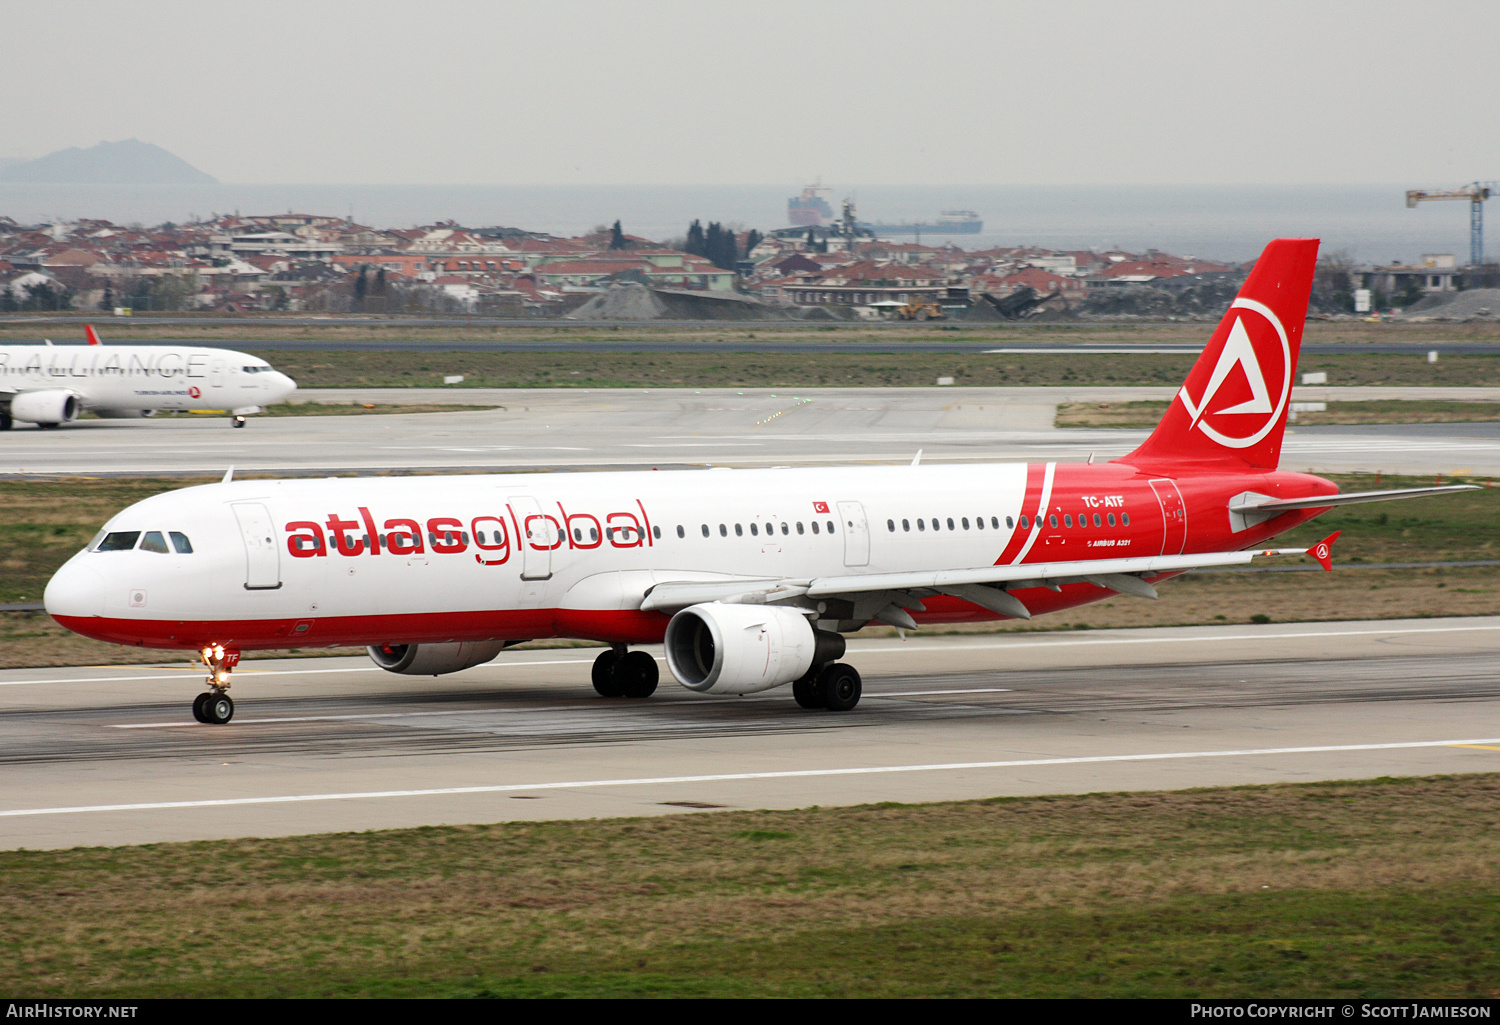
[(1253, 349)]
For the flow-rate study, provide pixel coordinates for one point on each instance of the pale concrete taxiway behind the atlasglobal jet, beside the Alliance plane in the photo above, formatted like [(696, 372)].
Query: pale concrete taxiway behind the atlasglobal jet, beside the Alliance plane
[(637, 428)]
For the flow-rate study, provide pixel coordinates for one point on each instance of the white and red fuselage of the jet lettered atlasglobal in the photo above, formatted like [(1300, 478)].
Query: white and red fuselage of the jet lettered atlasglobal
[(404, 561)]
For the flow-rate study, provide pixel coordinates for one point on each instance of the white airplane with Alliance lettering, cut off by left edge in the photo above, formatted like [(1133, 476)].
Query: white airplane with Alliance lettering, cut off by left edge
[(52, 385)]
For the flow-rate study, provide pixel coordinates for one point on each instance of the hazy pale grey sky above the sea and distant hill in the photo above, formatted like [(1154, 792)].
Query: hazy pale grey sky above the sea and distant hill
[(659, 92)]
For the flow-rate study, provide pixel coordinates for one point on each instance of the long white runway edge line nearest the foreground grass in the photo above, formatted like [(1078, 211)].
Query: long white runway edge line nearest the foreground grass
[(724, 778)]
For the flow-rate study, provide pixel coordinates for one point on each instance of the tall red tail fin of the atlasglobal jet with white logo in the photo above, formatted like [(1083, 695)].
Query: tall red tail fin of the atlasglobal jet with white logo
[(1232, 410)]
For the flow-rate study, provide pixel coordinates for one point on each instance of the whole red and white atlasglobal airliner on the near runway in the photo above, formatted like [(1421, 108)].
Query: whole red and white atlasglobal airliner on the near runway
[(749, 579)]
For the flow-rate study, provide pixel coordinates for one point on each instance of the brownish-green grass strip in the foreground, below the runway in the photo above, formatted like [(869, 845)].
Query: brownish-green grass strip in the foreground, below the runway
[(1376, 888)]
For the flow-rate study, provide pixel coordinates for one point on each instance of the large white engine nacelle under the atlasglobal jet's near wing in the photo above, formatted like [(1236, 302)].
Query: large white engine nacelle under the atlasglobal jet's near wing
[(743, 649)]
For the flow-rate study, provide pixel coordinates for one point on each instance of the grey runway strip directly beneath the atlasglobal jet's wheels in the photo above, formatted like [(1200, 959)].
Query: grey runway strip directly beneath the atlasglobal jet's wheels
[(107, 756)]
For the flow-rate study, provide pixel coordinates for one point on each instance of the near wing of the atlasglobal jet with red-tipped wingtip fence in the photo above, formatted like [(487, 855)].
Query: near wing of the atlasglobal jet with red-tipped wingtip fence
[(886, 597)]
